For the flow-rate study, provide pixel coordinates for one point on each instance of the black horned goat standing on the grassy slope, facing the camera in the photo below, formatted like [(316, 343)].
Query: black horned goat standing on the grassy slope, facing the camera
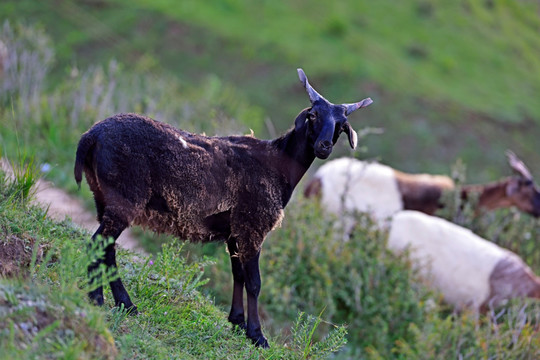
[(201, 188)]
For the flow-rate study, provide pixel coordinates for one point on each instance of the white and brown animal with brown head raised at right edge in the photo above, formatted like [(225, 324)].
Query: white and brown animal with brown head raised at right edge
[(381, 190)]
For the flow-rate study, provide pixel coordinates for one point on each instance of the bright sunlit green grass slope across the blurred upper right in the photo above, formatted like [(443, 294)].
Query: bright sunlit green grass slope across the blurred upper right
[(397, 45)]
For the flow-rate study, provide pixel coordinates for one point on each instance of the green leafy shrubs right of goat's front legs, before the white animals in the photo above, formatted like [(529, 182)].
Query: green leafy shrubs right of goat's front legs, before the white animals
[(310, 265)]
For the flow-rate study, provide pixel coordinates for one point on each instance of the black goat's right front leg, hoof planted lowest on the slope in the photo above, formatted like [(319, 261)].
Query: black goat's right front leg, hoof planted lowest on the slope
[(253, 287)]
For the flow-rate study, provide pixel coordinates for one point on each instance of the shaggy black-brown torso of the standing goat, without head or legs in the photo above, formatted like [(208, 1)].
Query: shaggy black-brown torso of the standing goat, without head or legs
[(195, 187)]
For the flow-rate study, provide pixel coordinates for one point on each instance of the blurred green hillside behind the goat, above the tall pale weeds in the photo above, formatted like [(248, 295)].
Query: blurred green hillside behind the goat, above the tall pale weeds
[(449, 79)]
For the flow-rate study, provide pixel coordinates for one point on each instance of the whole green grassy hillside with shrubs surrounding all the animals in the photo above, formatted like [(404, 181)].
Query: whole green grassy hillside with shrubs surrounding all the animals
[(229, 67)]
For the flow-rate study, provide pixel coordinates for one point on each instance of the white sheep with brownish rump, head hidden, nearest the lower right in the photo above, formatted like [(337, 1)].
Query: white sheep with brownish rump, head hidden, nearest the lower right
[(468, 270)]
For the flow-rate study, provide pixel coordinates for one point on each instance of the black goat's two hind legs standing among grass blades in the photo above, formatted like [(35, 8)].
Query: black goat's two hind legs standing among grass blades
[(112, 225)]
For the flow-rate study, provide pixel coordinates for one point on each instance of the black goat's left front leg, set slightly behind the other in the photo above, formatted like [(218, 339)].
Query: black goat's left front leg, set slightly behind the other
[(236, 316)]
